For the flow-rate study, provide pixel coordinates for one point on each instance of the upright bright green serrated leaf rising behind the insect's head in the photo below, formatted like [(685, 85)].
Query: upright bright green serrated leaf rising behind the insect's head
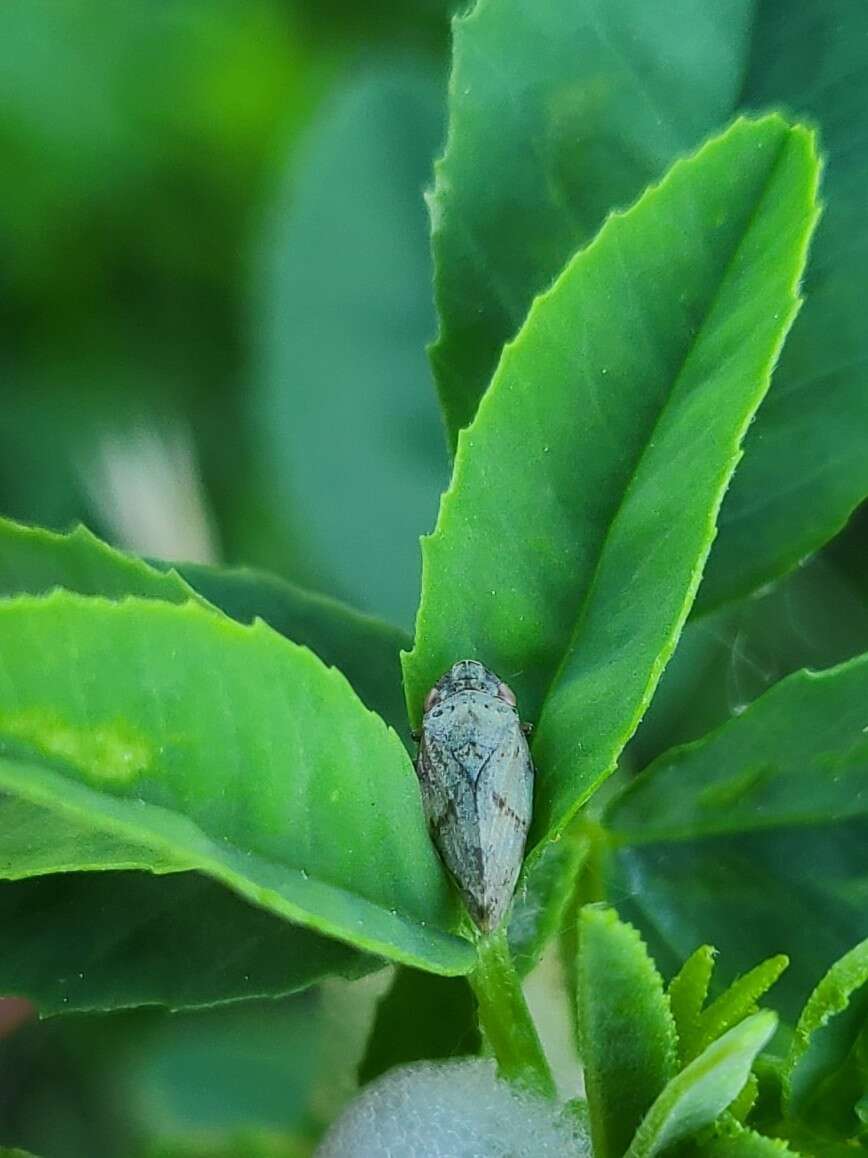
[(652, 400)]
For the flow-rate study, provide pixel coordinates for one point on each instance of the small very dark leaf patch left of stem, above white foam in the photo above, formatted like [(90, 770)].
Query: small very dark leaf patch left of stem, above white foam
[(421, 1017)]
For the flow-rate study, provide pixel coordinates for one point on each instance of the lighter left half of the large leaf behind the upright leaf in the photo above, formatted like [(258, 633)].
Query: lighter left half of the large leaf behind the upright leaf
[(595, 119)]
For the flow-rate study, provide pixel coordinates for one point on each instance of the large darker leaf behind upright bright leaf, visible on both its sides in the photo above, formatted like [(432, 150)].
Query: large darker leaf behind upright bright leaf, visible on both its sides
[(561, 113)]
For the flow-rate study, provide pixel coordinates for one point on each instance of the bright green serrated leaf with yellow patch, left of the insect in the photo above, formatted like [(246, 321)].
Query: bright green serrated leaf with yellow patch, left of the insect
[(229, 750)]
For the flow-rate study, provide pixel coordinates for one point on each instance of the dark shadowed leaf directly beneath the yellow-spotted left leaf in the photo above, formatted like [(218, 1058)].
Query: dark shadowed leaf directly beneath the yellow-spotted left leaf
[(106, 941)]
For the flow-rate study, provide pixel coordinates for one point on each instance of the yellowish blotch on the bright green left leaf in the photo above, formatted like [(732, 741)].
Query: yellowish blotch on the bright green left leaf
[(109, 753)]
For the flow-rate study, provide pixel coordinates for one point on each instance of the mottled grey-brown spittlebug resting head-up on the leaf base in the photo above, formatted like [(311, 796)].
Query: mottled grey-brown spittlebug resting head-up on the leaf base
[(477, 782)]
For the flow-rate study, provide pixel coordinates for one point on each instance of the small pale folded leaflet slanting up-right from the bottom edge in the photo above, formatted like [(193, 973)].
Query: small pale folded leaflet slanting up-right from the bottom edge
[(697, 1096)]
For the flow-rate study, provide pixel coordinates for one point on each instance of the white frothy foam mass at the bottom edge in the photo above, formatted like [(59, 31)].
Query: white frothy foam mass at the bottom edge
[(451, 1110)]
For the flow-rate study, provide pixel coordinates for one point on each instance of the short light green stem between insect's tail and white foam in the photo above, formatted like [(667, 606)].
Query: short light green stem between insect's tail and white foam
[(505, 1018)]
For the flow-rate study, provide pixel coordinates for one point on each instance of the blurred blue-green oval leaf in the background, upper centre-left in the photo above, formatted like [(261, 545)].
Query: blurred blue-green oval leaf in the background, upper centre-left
[(349, 430)]
